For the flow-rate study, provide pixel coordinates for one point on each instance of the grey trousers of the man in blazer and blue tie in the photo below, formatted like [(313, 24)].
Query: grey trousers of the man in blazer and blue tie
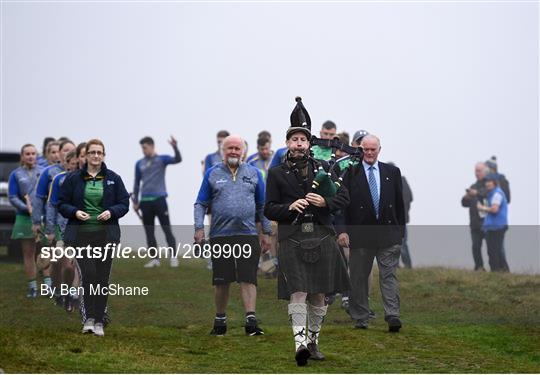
[(360, 264)]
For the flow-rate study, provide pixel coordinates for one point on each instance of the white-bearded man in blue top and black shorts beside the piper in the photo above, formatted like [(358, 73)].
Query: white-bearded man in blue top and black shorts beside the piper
[(235, 192)]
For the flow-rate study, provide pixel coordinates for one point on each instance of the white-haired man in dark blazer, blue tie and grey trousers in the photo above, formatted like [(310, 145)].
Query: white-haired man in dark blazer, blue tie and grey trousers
[(374, 228)]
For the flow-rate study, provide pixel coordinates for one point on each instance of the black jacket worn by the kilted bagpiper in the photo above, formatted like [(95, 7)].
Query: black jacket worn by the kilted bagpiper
[(283, 188)]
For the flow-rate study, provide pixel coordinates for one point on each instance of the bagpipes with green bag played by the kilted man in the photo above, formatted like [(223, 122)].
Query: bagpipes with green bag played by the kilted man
[(325, 182)]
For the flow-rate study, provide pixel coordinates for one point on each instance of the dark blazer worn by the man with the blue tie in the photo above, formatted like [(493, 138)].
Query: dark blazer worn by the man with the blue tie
[(359, 220)]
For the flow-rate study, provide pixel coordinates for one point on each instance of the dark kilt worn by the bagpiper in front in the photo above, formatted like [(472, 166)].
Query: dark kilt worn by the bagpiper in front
[(327, 275)]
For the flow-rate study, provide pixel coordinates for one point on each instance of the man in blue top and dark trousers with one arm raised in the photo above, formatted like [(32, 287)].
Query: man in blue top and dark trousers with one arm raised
[(150, 171)]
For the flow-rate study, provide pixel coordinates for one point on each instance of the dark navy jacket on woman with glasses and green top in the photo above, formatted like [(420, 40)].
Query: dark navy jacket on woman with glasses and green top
[(71, 199)]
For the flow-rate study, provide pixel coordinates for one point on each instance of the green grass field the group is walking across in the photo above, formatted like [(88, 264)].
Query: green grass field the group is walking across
[(454, 321)]
